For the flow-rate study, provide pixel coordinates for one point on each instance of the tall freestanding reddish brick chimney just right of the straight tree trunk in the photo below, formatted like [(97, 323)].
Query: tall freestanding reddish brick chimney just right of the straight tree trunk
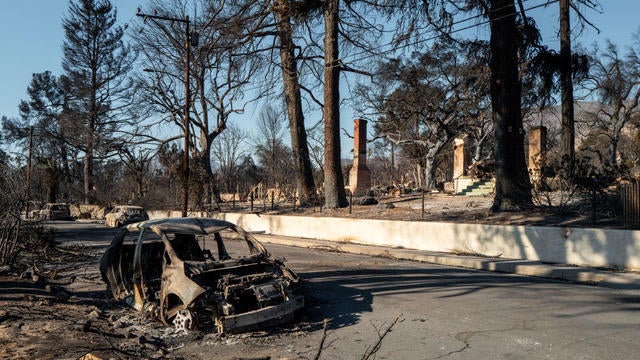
[(359, 176)]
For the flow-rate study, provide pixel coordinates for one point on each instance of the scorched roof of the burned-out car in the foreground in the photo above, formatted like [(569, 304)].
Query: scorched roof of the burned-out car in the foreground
[(186, 225)]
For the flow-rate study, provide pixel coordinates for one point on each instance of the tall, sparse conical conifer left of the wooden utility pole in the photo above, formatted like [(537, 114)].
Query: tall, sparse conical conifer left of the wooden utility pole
[(96, 62)]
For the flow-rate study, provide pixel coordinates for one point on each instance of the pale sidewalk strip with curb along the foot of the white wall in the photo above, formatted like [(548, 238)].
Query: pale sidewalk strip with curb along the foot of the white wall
[(581, 275)]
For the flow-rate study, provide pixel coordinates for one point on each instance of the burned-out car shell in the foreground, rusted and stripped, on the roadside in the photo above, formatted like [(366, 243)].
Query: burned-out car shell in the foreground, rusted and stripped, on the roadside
[(199, 272)]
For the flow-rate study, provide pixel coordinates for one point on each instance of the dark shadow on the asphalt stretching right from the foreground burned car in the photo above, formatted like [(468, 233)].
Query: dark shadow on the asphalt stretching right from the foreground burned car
[(344, 295)]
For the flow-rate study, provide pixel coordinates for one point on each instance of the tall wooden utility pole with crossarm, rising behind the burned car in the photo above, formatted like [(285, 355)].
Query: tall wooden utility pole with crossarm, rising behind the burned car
[(187, 104)]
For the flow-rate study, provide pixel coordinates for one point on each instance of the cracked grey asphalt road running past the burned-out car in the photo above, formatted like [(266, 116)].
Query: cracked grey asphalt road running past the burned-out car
[(445, 313)]
